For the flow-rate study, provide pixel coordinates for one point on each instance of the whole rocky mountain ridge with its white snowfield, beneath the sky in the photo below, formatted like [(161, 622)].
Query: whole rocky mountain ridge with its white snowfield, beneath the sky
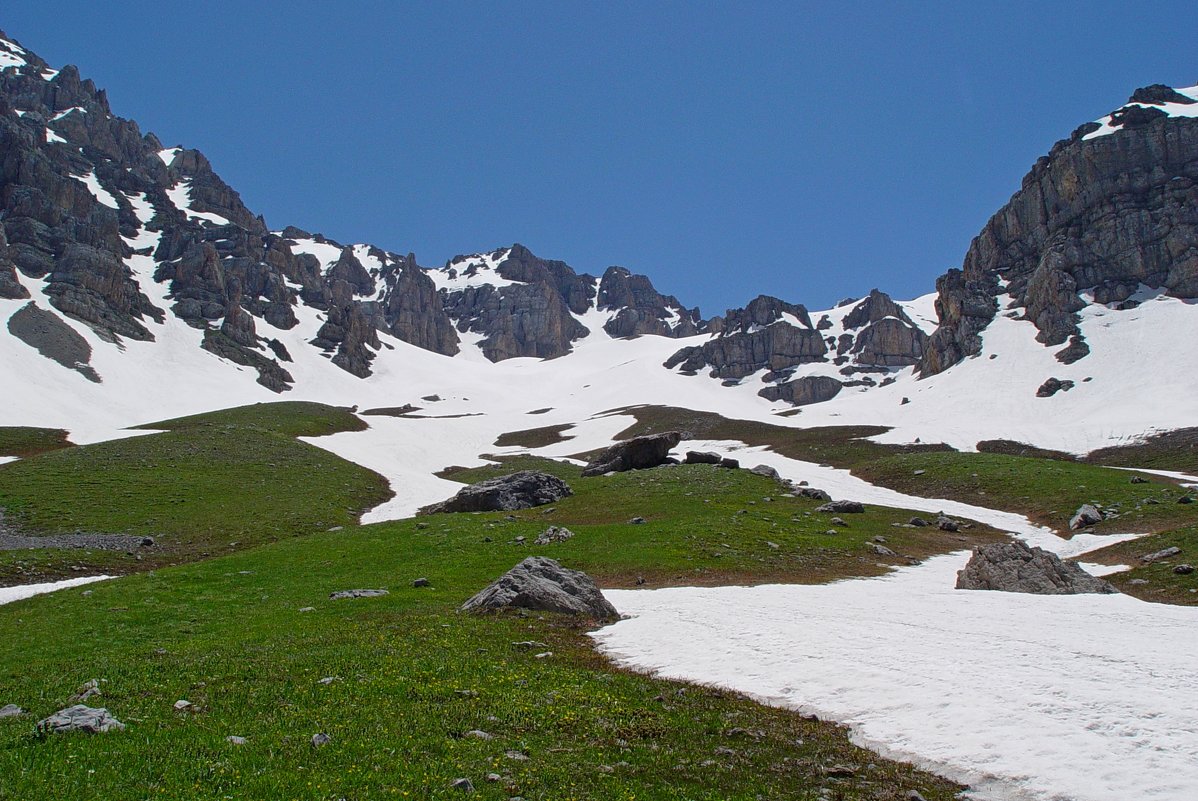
[(135, 284)]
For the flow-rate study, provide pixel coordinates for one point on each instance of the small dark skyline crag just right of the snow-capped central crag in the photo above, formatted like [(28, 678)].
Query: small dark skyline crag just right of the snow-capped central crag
[(640, 310)]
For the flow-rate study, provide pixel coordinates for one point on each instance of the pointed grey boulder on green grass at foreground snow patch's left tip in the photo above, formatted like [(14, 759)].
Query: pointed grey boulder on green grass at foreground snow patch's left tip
[(544, 586)]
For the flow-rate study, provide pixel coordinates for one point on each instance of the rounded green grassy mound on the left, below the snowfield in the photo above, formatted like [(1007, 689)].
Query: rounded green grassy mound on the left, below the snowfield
[(216, 483)]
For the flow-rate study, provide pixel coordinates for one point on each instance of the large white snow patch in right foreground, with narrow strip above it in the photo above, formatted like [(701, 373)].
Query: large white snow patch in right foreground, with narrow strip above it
[(1022, 697)]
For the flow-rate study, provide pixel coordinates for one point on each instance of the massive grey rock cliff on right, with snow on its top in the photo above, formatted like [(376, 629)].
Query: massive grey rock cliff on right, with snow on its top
[(1111, 209)]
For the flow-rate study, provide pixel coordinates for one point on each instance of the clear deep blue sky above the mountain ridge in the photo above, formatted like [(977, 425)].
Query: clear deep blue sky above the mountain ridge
[(804, 150)]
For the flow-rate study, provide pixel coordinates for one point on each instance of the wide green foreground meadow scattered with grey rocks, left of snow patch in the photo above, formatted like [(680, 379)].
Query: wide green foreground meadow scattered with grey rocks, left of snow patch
[(227, 634)]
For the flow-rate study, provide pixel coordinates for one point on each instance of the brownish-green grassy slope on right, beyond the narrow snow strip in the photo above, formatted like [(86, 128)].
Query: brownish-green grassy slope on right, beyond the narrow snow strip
[(1048, 490)]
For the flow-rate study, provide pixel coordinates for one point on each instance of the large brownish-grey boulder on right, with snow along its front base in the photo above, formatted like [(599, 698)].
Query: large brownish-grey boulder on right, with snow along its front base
[(1015, 568)]
